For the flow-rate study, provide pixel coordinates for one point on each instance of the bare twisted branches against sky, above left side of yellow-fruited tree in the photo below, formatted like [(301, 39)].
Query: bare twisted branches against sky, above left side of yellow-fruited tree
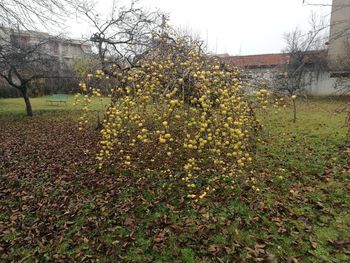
[(124, 36)]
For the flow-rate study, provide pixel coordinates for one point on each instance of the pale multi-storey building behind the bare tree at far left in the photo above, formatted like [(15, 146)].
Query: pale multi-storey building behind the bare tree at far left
[(62, 52)]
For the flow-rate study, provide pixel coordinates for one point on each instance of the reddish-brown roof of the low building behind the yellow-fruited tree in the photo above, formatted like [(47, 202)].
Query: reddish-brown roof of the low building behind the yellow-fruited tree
[(266, 60)]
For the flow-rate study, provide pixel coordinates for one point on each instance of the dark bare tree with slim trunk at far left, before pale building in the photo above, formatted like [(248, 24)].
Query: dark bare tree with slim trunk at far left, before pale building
[(24, 61)]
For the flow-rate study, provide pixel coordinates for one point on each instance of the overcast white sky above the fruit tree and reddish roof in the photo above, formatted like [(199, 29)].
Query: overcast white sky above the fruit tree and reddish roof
[(238, 27)]
